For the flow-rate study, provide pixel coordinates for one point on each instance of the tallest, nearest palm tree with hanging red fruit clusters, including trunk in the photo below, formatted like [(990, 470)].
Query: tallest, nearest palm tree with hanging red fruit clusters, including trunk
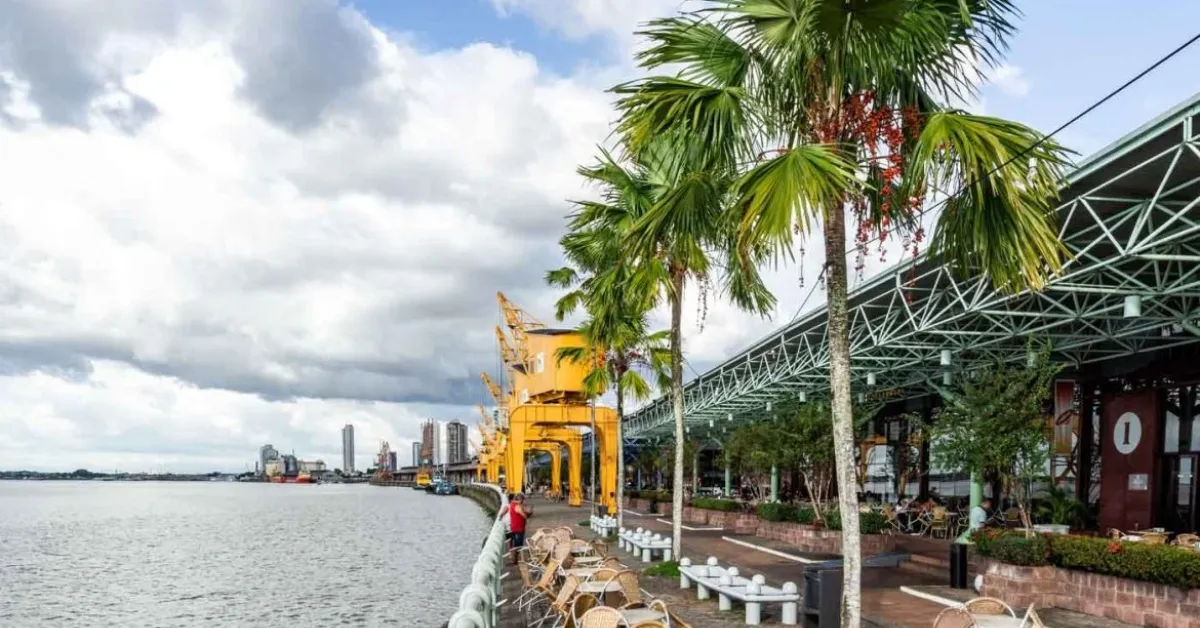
[(821, 107)]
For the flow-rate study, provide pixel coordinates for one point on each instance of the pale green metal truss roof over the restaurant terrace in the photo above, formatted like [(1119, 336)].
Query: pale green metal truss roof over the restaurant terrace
[(1131, 223)]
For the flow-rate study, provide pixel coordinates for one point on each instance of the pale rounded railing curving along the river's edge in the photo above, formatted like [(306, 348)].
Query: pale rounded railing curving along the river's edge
[(479, 602)]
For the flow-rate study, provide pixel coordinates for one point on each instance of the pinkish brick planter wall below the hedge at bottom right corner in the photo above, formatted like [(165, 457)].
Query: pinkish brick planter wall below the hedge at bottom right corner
[(1103, 596)]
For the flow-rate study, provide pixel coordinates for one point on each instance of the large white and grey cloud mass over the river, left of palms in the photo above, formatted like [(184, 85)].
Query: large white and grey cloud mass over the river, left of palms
[(253, 261)]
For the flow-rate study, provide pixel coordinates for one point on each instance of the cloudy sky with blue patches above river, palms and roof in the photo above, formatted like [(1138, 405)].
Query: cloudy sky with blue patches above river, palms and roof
[(226, 224)]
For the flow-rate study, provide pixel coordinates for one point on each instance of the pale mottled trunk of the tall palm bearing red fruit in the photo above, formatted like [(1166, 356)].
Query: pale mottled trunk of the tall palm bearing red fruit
[(843, 415)]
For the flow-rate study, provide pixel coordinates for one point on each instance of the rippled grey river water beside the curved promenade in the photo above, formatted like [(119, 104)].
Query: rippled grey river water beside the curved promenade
[(231, 555)]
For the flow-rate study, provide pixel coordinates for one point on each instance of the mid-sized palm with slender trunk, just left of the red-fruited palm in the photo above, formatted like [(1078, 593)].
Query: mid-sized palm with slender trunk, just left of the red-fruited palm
[(662, 219)]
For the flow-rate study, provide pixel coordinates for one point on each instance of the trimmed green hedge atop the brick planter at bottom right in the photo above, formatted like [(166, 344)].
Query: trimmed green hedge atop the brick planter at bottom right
[(1165, 565)]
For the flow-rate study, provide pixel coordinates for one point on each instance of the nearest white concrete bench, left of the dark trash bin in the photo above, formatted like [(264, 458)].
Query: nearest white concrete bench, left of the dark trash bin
[(730, 587)]
